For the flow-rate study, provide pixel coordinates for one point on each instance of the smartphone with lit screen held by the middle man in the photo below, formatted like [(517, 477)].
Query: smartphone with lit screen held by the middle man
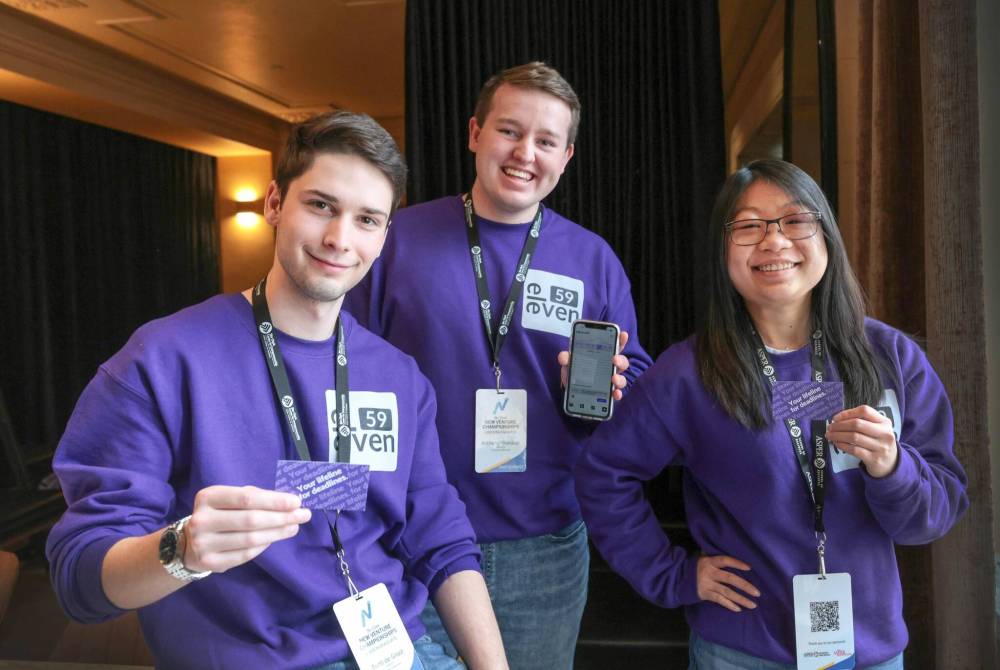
[(592, 347)]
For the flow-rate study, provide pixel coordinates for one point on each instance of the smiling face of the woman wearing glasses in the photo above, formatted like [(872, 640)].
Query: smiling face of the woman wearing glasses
[(777, 273)]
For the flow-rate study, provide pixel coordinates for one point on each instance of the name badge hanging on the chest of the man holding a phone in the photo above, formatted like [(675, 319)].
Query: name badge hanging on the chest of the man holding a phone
[(501, 430)]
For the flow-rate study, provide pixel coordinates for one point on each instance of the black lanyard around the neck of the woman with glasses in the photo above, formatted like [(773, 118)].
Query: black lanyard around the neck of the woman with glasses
[(814, 473)]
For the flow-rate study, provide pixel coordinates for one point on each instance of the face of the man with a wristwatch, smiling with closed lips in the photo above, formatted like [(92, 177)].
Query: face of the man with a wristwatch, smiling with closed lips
[(331, 225)]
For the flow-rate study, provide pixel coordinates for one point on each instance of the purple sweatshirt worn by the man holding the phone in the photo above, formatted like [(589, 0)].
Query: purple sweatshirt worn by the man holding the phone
[(421, 296)]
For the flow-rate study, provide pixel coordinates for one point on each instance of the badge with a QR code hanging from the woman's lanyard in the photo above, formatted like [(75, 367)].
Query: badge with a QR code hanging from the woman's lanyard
[(824, 621)]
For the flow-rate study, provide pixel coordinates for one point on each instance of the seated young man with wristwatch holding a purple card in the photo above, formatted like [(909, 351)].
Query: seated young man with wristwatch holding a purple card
[(171, 459)]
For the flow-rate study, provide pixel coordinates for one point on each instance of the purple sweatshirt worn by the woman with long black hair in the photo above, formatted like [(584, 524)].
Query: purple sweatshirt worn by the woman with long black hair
[(744, 496)]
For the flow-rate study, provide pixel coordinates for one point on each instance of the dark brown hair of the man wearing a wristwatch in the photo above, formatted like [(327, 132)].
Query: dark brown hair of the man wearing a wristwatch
[(341, 132)]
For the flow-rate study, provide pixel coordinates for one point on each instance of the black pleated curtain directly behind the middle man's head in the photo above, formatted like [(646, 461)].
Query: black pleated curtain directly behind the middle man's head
[(650, 153)]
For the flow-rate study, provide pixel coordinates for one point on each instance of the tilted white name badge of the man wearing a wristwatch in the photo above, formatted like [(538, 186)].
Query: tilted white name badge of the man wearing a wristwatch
[(374, 631)]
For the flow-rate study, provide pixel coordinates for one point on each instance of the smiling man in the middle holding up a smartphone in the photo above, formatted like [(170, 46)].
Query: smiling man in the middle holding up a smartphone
[(482, 289)]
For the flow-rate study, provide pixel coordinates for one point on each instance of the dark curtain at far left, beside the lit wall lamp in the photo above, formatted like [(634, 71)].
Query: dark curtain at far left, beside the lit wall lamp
[(101, 231)]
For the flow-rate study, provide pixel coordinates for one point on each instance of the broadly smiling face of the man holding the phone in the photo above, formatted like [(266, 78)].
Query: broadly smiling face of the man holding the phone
[(521, 151)]
